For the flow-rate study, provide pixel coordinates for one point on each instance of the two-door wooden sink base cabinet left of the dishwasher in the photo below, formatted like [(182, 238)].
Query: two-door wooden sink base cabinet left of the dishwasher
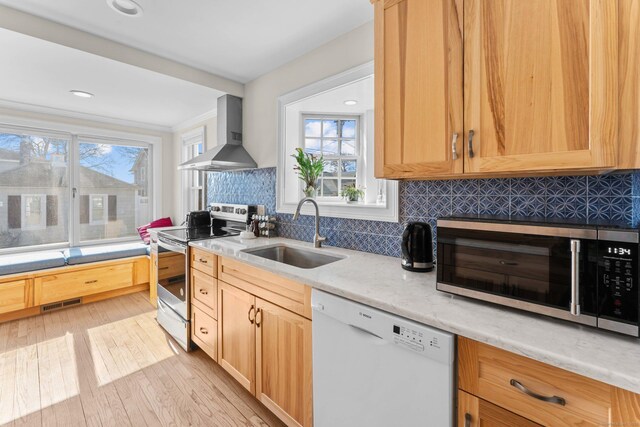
[(264, 346)]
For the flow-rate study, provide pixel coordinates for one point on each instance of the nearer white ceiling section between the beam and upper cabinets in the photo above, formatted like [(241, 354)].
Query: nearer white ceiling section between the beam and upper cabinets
[(237, 39)]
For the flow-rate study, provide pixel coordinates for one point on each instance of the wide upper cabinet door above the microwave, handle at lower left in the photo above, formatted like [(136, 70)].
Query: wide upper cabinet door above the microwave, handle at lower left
[(540, 84)]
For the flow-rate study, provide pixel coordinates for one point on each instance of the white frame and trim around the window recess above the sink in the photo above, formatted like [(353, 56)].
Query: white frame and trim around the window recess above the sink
[(288, 191)]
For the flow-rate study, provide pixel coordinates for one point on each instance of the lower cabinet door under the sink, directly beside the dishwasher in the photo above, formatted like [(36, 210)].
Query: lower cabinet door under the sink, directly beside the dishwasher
[(283, 363)]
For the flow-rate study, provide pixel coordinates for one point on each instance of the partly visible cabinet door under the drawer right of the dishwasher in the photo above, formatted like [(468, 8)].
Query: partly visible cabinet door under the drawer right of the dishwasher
[(475, 412)]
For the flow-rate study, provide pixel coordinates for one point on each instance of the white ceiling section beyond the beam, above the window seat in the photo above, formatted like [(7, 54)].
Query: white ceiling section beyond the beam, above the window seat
[(41, 73)]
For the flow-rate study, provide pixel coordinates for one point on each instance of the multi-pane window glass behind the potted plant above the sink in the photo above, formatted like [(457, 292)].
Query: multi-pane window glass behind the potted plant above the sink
[(336, 138)]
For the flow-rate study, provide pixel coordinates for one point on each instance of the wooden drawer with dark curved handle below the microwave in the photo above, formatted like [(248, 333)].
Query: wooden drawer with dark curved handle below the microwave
[(508, 380)]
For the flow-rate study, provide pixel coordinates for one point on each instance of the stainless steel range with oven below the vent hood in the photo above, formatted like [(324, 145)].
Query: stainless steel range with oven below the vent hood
[(173, 265)]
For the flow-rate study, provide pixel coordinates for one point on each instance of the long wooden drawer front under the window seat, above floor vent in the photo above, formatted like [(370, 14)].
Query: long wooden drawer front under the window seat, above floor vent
[(74, 284)]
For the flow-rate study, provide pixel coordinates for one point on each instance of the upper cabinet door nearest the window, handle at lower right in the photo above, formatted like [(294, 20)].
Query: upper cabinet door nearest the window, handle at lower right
[(418, 88)]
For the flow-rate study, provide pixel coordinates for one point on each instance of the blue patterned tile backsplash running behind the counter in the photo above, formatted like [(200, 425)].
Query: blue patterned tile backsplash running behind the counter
[(607, 197)]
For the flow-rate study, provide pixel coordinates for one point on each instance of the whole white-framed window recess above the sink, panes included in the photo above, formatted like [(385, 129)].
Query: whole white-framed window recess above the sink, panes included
[(317, 119)]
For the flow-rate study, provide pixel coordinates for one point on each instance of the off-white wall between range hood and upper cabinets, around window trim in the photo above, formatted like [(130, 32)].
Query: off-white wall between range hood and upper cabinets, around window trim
[(261, 95)]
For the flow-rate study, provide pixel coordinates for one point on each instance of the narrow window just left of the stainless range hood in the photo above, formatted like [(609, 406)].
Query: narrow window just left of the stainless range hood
[(193, 181)]
